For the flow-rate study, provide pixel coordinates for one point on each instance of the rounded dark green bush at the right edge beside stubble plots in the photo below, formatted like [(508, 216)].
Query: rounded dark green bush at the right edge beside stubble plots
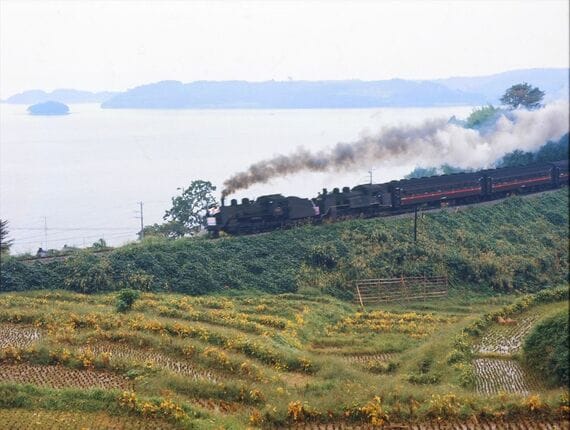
[(547, 349)]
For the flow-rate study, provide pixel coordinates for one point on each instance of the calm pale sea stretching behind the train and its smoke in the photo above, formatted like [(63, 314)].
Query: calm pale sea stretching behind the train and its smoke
[(74, 179)]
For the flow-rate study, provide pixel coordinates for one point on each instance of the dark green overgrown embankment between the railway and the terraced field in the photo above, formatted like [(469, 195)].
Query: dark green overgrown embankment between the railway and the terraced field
[(517, 244)]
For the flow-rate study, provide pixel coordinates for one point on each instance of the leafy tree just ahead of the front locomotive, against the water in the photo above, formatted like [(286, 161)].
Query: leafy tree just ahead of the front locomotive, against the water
[(189, 209)]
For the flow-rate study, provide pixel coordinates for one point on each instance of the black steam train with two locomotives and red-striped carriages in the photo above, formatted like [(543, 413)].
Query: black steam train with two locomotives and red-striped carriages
[(275, 211)]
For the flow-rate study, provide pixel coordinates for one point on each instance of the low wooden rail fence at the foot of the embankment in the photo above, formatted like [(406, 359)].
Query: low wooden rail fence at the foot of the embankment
[(373, 291)]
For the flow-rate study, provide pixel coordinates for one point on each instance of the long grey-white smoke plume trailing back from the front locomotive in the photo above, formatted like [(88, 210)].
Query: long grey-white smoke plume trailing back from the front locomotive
[(434, 142)]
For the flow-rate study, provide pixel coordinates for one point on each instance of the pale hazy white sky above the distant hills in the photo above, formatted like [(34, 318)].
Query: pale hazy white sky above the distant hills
[(115, 45)]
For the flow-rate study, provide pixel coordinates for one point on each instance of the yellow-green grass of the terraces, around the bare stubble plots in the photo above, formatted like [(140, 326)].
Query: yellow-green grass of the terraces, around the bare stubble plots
[(275, 356)]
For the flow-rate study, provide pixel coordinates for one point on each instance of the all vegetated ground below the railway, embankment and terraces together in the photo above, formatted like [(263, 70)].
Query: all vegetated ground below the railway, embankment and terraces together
[(272, 340)]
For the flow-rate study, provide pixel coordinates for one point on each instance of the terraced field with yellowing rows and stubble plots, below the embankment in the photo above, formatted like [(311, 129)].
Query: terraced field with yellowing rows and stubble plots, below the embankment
[(288, 361)]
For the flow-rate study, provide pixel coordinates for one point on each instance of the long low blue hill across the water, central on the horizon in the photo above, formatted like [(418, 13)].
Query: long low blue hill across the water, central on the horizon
[(290, 94)]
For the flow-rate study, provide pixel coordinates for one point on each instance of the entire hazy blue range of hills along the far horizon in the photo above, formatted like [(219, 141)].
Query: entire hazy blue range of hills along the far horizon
[(476, 90)]
